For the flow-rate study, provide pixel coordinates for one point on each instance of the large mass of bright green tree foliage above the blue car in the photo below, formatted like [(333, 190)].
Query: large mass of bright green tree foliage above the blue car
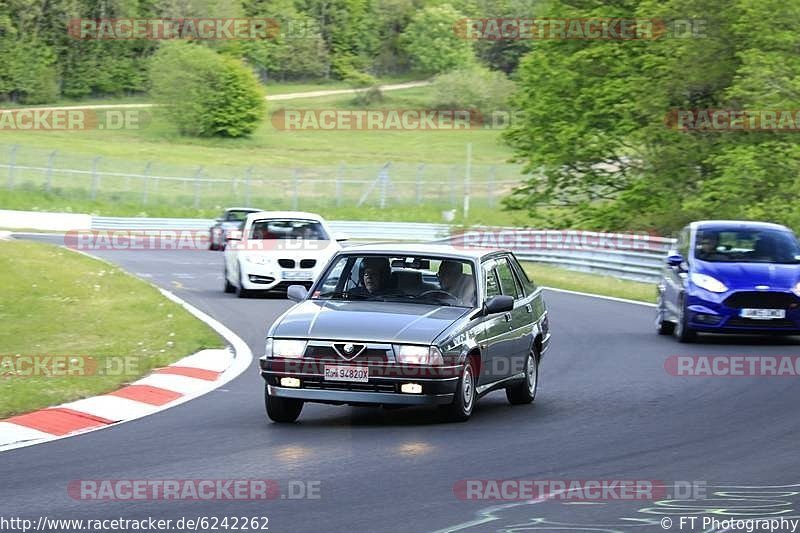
[(591, 124)]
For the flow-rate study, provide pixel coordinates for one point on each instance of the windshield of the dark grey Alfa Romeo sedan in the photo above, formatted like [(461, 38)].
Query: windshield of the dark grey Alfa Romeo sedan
[(425, 280)]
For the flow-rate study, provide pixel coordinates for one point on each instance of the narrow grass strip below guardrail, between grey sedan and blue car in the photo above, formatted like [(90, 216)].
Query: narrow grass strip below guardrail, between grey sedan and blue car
[(561, 278)]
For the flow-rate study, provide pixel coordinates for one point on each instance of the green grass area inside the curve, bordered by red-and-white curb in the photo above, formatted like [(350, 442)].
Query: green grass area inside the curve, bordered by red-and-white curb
[(57, 302)]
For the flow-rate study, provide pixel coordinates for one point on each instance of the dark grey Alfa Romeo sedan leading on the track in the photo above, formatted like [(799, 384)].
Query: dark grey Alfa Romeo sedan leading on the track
[(399, 325)]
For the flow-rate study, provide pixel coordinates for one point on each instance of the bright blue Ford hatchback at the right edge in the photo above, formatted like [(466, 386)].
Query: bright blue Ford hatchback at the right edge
[(731, 277)]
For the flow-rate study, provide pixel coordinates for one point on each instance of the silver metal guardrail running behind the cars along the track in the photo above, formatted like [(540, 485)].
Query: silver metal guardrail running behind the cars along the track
[(636, 257)]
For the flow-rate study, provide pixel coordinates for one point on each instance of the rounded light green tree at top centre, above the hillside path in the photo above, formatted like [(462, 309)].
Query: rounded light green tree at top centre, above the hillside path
[(433, 43)]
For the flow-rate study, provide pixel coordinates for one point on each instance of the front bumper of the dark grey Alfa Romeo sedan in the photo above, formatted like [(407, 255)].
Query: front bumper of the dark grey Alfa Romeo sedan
[(383, 387)]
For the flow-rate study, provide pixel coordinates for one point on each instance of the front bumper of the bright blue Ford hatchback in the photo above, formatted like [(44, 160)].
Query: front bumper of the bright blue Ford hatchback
[(708, 312)]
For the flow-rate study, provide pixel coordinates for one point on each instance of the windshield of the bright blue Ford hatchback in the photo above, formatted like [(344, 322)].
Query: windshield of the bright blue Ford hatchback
[(747, 246)]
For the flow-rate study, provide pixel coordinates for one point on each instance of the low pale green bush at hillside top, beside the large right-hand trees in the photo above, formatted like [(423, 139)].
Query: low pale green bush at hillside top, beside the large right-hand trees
[(476, 87)]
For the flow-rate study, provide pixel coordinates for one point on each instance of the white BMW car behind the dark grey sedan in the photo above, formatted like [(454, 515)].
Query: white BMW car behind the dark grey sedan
[(276, 249)]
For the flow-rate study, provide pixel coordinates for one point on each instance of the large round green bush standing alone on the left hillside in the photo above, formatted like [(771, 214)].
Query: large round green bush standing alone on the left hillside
[(204, 93)]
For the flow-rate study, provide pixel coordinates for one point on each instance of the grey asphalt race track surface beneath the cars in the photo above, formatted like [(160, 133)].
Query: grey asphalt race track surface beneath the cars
[(606, 409)]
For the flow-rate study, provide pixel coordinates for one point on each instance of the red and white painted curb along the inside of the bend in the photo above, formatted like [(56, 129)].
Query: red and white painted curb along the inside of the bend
[(166, 387)]
